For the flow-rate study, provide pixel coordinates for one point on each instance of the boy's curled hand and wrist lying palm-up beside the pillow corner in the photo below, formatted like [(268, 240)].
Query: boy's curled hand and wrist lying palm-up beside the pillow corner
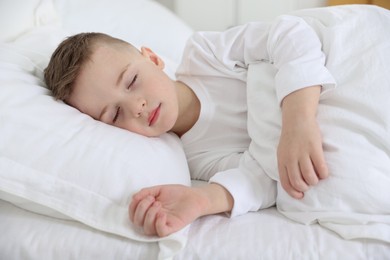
[(163, 210)]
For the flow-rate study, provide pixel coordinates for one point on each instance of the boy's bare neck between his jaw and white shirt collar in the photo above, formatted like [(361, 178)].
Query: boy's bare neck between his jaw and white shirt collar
[(189, 109)]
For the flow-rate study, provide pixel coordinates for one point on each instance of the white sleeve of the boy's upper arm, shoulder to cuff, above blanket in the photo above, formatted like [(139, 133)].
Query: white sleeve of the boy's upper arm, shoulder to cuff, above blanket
[(289, 43)]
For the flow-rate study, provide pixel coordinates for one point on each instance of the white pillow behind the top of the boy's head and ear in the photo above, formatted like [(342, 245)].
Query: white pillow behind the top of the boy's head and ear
[(140, 22)]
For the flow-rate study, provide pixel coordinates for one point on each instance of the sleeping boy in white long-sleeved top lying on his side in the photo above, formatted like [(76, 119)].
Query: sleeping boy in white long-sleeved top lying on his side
[(206, 106)]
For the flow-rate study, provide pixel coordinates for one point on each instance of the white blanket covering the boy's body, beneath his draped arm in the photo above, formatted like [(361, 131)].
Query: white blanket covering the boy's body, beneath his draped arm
[(354, 119)]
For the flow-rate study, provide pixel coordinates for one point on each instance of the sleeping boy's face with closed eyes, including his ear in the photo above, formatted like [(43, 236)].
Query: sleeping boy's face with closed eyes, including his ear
[(126, 89)]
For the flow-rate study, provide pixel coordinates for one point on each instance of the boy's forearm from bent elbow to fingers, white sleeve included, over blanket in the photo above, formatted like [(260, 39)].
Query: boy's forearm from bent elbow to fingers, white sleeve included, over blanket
[(296, 51)]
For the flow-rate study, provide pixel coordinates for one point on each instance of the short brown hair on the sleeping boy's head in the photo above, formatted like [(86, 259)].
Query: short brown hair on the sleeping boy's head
[(69, 57)]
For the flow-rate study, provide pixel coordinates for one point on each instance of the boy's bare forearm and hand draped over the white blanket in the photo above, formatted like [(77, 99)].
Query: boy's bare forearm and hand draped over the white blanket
[(300, 155)]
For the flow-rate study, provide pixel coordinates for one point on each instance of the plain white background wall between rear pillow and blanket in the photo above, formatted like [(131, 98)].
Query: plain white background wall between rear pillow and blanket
[(221, 14)]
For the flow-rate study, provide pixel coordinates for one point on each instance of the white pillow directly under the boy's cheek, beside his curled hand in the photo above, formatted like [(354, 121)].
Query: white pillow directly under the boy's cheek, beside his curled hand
[(54, 156)]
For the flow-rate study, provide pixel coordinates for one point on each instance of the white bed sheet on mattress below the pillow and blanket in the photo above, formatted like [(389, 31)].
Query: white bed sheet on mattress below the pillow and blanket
[(259, 235)]
